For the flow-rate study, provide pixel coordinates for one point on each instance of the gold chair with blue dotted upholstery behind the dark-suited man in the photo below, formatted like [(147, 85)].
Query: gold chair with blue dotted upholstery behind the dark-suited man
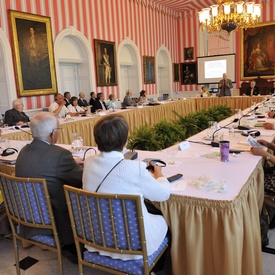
[(28, 203)]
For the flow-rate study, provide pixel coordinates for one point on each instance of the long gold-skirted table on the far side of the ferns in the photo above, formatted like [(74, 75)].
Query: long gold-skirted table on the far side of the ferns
[(137, 117)]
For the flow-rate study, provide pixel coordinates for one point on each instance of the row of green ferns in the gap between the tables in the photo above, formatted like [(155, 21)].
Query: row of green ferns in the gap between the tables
[(167, 133)]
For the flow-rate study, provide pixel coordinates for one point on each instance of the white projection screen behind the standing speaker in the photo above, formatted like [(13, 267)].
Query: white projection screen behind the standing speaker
[(211, 68)]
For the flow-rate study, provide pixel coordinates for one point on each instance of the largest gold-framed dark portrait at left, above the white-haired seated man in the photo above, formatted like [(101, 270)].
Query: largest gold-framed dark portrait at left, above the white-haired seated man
[(33, 55)]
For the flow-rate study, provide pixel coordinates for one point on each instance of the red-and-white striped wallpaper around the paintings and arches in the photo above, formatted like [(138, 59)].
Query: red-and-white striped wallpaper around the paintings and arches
[(148, 25)]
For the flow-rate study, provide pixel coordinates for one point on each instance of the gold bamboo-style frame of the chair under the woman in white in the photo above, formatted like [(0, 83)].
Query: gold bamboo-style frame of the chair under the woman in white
[(85, 195)]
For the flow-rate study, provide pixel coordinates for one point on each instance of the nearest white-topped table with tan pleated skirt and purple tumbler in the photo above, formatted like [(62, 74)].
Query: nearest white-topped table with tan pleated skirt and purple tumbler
[(213, 211)]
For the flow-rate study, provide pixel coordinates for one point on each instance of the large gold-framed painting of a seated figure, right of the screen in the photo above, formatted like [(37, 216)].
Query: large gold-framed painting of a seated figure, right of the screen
[(257, 51)]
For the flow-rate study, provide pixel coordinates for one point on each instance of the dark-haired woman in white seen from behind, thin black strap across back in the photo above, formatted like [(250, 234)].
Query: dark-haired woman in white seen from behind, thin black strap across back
[(127, 177)]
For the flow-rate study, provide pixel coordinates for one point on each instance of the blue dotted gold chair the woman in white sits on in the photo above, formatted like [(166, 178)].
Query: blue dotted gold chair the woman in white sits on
[(111, 223)]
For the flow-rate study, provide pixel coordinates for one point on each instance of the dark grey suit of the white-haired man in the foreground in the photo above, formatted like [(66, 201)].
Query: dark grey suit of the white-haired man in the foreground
[(57, 165)]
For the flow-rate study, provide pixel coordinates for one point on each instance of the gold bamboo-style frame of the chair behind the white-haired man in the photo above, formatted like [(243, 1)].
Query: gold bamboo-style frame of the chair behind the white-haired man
[(14, 206)]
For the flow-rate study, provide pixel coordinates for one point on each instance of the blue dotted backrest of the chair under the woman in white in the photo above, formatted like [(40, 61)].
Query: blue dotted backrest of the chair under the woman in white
[(113, 221)]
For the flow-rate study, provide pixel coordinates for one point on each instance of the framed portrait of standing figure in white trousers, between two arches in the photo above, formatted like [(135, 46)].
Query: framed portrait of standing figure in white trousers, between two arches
[(105, 56)]
